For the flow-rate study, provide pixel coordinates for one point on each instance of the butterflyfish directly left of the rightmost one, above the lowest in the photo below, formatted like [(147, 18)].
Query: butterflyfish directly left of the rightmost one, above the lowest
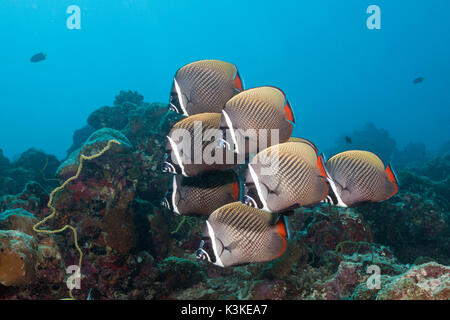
[(297, 178)]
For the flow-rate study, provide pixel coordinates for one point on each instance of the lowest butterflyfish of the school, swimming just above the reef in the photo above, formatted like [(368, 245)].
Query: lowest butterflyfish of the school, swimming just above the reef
[(237, 234)]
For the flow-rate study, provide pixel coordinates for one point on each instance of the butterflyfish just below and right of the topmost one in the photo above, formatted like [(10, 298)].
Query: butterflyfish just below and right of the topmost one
[(253, 110)]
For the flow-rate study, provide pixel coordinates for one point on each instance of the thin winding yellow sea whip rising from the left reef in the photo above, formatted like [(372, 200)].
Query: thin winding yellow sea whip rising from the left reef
[(53, 209)]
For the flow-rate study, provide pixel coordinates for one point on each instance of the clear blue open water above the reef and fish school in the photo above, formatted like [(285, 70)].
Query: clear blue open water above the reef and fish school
[(337, 73)]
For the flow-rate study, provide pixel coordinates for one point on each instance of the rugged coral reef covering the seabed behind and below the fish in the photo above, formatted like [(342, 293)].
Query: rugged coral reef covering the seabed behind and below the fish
[(133, 248)]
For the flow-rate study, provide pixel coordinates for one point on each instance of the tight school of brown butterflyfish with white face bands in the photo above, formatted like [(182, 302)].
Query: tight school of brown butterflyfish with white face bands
[(252, 129)]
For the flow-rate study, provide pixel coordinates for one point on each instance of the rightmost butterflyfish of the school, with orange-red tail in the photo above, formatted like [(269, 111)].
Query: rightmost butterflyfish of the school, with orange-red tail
[(359, 177)]
